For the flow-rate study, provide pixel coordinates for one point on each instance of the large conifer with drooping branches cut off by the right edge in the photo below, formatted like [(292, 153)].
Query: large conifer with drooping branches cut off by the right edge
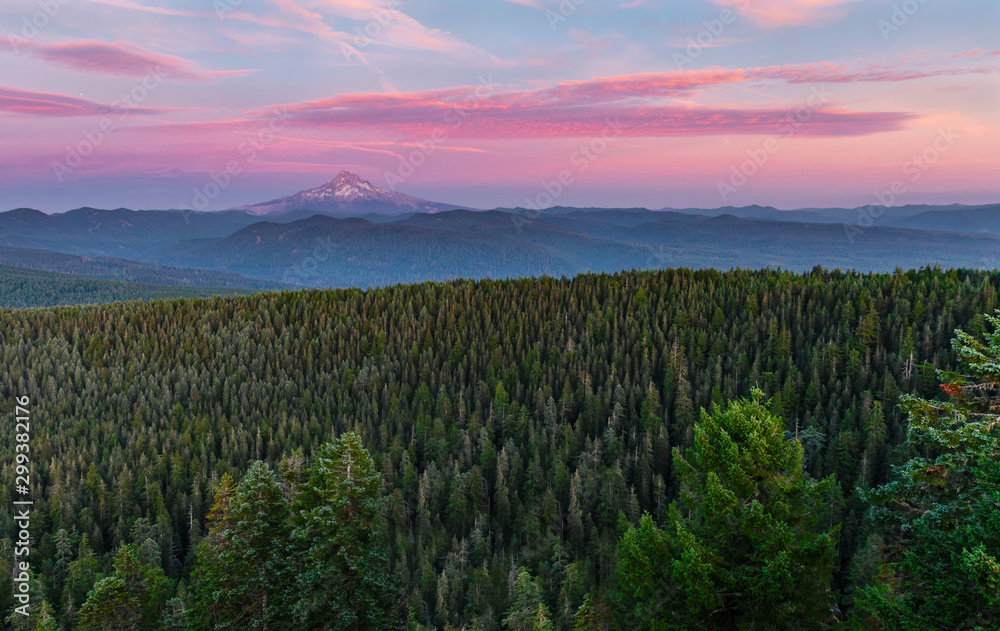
[(937, 568)]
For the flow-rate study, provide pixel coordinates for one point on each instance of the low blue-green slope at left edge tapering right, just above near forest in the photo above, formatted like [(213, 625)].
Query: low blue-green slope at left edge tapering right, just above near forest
[(22, 288)]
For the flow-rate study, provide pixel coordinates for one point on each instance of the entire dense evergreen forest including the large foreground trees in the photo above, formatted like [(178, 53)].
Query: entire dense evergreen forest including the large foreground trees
[(658, 450)]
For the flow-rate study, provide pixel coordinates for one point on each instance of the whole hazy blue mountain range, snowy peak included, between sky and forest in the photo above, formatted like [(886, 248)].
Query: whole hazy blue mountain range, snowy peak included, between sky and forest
[(423, 241)]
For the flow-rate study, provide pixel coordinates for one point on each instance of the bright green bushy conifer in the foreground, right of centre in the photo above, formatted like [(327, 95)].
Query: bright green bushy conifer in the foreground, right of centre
[(744, 548)]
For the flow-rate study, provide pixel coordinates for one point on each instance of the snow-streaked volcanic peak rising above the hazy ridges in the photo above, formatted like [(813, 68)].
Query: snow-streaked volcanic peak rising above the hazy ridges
[(348, 194)]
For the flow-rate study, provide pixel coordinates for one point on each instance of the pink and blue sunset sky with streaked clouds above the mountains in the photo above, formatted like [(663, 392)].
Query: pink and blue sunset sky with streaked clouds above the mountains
[(211, 104)]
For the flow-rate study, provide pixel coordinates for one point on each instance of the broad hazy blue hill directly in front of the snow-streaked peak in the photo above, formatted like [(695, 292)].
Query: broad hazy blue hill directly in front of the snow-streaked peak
[(324, 251)]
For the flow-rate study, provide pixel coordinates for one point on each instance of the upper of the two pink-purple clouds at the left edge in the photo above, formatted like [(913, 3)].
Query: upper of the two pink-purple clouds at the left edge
[(120, 59)]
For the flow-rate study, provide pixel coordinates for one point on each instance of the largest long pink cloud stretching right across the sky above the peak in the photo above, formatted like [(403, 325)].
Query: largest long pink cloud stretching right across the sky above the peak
[(646, 104)]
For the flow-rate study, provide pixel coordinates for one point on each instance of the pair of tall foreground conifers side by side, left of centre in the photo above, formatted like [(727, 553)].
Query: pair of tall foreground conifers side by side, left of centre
[(312, 562)]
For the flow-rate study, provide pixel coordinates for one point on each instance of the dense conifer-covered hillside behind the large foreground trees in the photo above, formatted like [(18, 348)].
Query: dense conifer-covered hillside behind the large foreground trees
[(514, 422)]
